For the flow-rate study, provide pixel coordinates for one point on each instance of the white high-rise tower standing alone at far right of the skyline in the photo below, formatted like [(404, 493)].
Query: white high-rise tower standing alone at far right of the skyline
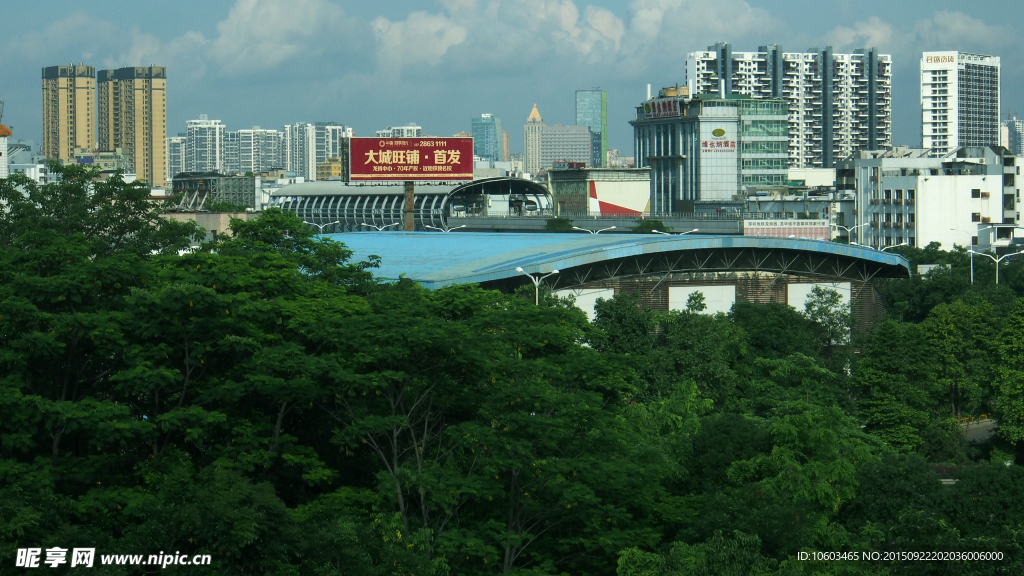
[(960, 101)]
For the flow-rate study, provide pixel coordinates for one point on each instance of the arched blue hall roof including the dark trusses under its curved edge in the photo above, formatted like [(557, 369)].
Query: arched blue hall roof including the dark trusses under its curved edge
[(436, 260)]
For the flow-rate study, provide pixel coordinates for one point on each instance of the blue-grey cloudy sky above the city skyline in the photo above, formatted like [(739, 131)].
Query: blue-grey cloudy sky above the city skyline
[(440, 63)]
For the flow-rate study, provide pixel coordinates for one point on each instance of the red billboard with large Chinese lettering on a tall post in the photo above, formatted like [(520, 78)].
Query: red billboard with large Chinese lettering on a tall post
[(411, 159)]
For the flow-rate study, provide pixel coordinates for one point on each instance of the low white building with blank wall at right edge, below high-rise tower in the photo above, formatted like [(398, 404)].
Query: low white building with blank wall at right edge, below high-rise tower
[(968, 197)]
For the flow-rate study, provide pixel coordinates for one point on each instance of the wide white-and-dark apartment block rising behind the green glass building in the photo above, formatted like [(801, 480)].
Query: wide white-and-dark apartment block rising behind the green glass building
[(838, 104)]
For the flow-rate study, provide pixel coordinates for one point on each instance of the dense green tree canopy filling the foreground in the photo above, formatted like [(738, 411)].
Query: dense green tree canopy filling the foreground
[(266, 401)]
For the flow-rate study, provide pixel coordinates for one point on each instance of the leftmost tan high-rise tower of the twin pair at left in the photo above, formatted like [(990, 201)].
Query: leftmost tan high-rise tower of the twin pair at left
[(69, 110)]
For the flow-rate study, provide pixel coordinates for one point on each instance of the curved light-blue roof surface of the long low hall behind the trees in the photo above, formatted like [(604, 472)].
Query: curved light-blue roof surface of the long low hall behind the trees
[(437, 260)]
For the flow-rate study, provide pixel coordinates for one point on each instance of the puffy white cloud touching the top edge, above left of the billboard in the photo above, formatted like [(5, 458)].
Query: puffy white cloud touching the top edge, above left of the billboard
[(260, 35)]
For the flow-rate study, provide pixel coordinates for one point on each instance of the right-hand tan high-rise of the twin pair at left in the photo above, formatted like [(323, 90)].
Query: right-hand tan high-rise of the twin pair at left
[(133, 106)]
